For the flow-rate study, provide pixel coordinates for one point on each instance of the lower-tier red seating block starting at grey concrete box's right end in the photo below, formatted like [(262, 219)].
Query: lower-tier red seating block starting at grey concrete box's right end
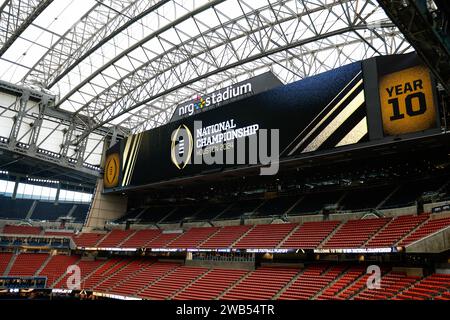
[(261, 284)]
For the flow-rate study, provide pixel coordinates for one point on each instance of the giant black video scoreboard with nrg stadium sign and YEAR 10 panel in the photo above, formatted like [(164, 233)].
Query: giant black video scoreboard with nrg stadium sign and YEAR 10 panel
[(364, 103)]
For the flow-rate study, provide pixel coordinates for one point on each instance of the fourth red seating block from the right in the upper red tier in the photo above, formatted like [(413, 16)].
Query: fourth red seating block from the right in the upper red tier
[(310, 235)]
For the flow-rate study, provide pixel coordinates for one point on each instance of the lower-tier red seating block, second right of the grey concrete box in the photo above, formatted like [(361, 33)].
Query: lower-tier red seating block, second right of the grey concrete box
[(313, 280)]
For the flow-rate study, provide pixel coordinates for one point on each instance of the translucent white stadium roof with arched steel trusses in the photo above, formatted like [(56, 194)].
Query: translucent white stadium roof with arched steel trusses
[(128, 63)]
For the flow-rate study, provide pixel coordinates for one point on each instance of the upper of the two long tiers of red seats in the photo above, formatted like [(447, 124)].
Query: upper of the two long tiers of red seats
[(373, 232)]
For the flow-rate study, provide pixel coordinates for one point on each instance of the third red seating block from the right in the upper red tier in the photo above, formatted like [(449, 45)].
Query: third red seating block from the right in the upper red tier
[(354, 233)]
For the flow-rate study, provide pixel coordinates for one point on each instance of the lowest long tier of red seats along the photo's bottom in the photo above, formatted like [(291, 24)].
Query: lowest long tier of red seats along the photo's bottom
[(159, 280)]
